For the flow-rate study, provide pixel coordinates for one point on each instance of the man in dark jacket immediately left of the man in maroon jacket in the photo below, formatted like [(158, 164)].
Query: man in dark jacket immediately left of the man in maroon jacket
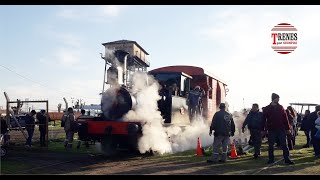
[(254, 121)]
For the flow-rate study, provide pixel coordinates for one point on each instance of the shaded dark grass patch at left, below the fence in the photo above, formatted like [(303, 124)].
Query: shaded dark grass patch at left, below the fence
[(20, 158)]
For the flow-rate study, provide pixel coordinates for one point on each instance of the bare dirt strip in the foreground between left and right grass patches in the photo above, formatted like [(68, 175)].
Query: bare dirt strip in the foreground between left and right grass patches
[(59, 163)]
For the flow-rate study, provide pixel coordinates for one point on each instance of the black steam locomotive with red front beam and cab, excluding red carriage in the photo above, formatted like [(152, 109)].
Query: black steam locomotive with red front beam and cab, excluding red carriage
[(110, 129)]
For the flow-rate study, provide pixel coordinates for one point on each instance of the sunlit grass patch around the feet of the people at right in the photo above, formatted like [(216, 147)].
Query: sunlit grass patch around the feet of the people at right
[(303, 157)]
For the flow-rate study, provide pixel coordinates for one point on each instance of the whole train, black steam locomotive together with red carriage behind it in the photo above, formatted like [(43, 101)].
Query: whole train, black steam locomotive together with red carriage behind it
[(109, 127)]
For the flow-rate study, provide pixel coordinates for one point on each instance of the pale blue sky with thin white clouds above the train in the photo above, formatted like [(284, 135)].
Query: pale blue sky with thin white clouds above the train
[(59, 46)]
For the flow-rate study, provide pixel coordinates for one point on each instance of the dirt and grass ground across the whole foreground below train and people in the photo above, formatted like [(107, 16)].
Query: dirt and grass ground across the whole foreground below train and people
[(85, 162)]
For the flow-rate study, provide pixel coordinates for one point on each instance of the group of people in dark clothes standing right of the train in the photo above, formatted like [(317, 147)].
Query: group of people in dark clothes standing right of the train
[(278, 124)]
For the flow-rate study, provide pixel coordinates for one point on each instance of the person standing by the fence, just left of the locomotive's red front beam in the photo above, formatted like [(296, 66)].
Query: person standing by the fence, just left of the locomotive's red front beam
[(70, 127)]
